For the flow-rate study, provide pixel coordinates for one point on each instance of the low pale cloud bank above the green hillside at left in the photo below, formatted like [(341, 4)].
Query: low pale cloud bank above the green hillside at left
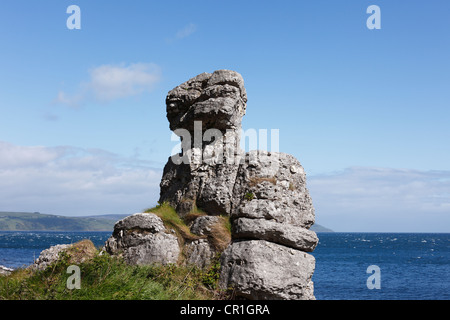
[(74, 181)]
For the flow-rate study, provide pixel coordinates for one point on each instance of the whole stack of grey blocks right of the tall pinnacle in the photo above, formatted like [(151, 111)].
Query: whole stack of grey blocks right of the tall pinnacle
[(272, 213)]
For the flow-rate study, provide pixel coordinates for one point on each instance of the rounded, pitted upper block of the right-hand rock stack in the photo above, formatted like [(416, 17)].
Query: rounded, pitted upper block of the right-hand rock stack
[(277, 182)]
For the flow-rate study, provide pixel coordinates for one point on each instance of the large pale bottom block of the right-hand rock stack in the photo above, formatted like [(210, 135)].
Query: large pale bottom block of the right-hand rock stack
[(263, 270)]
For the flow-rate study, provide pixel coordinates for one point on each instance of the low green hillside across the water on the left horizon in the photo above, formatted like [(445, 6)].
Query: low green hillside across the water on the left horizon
[(26, 221)]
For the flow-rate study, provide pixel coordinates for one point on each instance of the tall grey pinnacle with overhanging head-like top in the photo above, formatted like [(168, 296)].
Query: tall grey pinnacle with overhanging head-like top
[(216, 103)]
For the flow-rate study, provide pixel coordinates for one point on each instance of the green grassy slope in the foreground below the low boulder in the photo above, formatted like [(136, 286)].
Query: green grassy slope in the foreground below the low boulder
[(105, 277)]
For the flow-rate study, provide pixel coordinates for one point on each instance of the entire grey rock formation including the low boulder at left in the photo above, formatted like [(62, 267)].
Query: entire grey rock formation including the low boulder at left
[(263, 194)]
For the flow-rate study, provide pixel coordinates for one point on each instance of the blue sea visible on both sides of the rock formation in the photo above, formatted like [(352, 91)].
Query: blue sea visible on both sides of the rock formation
[(410, 266)]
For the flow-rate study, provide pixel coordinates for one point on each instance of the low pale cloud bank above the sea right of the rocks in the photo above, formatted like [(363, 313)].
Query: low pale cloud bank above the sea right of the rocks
[(382, 199)]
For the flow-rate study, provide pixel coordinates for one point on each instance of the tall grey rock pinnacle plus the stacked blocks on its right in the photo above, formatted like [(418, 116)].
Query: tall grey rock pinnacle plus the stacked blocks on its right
[(264, 193)]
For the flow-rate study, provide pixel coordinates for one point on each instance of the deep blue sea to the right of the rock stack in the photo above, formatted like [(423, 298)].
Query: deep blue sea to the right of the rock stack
[(412, 266)]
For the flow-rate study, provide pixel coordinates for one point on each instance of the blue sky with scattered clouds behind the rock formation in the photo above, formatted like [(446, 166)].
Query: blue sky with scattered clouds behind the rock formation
[(83, 128)]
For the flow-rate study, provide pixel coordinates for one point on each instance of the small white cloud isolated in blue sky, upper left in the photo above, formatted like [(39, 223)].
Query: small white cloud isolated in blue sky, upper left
[(112, 82)]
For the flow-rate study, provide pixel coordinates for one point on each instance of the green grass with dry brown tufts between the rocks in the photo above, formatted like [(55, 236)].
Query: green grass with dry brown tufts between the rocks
[(105, 277)]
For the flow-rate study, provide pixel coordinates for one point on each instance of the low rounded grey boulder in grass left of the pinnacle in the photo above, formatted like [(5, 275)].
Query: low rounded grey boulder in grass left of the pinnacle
[(142, 239)]
